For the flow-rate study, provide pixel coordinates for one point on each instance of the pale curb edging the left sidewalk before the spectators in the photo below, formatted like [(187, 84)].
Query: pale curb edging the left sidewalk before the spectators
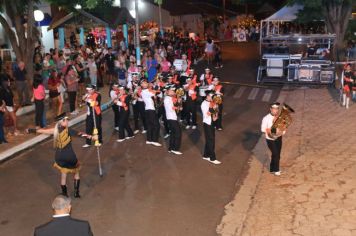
[(12, 152)]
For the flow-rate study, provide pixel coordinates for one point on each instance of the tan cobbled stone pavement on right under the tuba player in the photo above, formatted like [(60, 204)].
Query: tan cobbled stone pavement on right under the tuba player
[(316, 193)]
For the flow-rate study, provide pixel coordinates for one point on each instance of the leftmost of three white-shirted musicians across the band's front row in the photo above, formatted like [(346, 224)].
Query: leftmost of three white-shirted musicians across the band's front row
[(152, 122)]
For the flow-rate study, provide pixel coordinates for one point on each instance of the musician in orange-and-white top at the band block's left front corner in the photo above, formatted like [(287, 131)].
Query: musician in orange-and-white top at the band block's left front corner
[(124, 109)]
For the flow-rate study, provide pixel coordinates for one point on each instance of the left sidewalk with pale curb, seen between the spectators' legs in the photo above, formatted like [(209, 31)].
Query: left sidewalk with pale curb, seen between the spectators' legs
[(19, 143)]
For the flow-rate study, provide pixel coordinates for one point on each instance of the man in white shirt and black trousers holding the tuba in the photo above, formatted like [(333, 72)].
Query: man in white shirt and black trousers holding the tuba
[(274, 143)]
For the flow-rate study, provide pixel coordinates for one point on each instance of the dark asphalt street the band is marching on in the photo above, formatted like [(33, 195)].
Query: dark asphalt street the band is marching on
[(145, 190)]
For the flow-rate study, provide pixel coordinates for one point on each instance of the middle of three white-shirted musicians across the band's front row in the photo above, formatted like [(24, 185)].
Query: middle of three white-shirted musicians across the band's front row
[(172, 119)]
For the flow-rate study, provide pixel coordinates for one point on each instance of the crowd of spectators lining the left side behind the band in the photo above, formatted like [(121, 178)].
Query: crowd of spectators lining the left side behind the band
[(60, 75)]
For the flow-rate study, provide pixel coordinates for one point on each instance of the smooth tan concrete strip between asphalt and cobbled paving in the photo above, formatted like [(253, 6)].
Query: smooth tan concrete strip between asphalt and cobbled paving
[(236, 211)]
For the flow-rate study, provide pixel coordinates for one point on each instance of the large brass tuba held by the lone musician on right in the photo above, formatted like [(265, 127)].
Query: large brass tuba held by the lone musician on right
[(282, 122)]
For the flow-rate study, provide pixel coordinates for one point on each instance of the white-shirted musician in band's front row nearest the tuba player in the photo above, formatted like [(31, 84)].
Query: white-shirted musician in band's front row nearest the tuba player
[(209, 129)]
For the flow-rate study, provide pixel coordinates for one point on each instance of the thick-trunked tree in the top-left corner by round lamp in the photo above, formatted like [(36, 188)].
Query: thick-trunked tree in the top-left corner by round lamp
[(25, 34)]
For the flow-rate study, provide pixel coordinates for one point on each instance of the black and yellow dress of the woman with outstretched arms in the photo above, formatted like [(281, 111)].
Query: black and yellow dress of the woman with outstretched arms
[(65, 159)]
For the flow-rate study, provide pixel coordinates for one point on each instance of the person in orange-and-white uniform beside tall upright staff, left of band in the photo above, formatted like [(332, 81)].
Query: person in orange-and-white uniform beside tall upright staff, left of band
[(93, 102)]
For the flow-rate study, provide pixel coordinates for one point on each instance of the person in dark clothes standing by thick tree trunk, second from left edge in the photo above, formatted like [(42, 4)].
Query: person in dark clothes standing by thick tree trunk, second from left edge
[(21, 84)]
